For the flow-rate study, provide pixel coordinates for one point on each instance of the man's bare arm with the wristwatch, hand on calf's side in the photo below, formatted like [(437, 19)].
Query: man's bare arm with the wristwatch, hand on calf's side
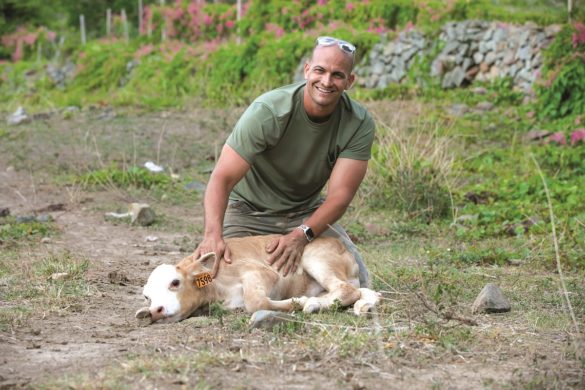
[(344, 182)]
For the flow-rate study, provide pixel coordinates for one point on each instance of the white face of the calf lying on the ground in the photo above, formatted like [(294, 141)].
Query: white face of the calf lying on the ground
[(161, 290)]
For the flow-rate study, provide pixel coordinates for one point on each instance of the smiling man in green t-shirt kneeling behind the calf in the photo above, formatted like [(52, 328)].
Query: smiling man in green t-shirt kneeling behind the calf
[(287, 145)]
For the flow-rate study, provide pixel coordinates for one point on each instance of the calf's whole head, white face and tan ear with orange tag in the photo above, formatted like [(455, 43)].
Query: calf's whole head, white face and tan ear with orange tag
[(176, 292)]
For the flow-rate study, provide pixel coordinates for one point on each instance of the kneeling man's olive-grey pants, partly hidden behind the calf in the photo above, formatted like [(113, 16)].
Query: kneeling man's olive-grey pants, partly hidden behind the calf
[(241, 219)]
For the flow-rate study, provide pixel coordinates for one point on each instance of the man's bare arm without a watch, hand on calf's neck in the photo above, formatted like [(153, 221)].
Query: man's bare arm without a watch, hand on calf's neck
[(229, 170)]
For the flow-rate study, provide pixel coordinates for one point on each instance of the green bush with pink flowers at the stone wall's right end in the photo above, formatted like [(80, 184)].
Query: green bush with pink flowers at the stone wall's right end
[(562, 92)]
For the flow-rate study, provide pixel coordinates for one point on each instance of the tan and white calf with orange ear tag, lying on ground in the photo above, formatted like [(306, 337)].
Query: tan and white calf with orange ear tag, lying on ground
[(327, 272)]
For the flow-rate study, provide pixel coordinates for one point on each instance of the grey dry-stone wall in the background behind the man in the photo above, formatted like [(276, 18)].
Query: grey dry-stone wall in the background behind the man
[(472, 50)]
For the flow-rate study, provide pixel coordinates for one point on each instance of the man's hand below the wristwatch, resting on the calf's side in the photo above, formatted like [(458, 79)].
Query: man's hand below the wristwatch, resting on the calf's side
[(286, 251)]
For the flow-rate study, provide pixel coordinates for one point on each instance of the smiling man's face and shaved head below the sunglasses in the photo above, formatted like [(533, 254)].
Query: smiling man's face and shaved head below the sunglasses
[(328, 74)]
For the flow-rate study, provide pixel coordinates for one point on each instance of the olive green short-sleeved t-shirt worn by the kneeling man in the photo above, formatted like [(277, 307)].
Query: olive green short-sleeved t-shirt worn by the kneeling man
[(292, 157)]
